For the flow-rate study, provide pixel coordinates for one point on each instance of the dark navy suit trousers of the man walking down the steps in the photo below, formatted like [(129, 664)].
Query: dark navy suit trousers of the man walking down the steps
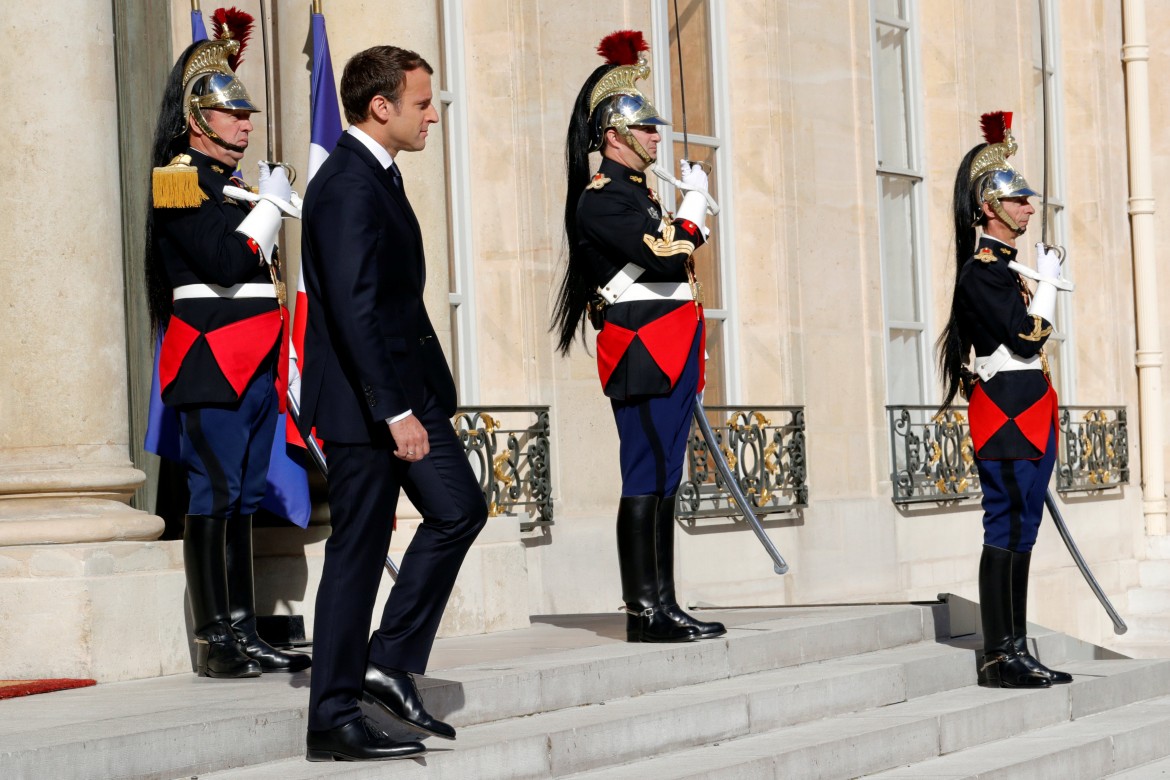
[(364, 484)]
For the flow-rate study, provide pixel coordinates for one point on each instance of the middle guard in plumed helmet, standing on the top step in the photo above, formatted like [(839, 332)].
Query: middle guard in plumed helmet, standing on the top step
[(631, 272)]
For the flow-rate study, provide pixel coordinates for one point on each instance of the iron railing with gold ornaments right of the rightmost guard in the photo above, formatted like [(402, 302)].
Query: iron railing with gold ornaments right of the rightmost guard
[(1095, 448)]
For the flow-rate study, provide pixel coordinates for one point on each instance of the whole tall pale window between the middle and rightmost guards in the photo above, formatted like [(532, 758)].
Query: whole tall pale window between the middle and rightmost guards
[(900, 194)]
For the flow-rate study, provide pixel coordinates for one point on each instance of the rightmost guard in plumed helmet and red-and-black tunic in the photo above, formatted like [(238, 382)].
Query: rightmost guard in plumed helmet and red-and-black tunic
[(1013, 408)]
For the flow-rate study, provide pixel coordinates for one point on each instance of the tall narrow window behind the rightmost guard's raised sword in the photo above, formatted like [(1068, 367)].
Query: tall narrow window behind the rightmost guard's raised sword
[(1061, 356)]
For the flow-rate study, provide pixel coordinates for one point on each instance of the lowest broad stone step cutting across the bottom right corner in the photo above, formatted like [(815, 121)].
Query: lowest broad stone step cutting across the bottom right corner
[(1092, 748)]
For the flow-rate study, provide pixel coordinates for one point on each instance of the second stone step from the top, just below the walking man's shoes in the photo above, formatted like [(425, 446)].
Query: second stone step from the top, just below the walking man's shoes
[(580, 740)]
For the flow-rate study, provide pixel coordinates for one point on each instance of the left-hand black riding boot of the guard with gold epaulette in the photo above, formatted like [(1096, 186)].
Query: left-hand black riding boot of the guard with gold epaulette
[(218, 654)]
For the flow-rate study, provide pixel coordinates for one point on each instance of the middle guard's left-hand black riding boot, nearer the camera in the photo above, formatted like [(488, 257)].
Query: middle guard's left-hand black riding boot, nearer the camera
[(646, 620)]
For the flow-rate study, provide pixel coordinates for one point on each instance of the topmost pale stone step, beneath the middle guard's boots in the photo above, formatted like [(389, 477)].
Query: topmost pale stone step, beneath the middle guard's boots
[(183, 726)]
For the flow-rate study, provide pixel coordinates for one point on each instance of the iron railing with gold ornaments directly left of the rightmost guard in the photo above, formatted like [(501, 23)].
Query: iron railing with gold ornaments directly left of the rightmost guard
[(932, 458)]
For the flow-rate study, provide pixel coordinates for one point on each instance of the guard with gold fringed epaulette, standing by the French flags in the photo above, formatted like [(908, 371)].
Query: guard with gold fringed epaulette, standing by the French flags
[(214, 286)]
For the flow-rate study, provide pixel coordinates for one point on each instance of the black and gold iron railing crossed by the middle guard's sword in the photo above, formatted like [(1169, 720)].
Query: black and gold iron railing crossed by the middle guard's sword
[(768, 459)]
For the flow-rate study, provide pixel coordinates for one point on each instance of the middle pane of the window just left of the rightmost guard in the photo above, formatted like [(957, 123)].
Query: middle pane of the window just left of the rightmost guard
[(900, 267)]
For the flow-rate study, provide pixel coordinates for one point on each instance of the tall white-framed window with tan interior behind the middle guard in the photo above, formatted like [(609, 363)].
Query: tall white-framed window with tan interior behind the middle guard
[(701, 32)]
